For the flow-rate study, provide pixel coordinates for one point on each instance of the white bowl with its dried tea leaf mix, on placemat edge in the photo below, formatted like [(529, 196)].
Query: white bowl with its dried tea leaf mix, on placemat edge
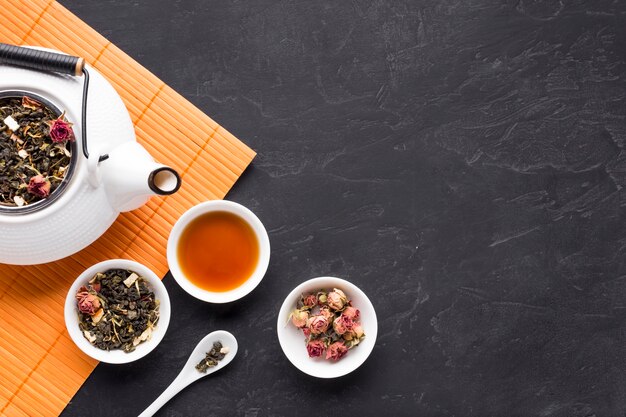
[(117, 311)]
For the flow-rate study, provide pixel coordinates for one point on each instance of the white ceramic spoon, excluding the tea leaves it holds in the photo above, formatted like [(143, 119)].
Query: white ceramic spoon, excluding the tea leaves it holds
[(189, 373)]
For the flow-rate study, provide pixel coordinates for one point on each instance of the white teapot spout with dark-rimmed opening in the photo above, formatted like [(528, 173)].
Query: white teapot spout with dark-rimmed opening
[(131, 177)]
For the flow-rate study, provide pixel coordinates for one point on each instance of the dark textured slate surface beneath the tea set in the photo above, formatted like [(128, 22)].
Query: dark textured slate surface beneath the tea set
[(460, 160)]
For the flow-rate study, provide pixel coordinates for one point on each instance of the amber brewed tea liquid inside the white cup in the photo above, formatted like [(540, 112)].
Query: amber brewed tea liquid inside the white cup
[(218, 251)]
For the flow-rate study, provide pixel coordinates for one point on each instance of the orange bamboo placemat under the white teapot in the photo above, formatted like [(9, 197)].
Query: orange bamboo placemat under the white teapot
[(40, 368)]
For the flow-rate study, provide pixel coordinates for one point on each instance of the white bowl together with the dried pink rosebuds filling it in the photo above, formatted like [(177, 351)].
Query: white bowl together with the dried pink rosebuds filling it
[(327, 327)]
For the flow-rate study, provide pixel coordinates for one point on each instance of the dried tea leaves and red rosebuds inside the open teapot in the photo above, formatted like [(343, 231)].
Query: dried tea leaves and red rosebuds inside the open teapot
[(35, 150)]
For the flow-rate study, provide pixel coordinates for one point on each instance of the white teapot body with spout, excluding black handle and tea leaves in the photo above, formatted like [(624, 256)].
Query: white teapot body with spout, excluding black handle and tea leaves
[(97, 191)]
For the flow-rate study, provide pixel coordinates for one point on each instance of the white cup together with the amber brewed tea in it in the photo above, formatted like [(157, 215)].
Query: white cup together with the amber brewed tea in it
[(218, 251)]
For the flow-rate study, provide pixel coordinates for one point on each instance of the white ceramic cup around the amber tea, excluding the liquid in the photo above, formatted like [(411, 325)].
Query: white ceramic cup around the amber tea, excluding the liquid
[(250, 283)]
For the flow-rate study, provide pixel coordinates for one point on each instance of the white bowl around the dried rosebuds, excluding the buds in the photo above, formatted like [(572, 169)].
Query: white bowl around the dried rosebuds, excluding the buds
[(292, 341)]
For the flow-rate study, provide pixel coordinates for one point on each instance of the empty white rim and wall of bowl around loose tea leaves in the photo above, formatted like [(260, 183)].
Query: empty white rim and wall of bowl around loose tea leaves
[(118, 356)]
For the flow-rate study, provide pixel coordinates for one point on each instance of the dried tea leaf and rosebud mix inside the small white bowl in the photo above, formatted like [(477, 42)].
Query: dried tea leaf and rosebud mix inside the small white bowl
[(117, 310)]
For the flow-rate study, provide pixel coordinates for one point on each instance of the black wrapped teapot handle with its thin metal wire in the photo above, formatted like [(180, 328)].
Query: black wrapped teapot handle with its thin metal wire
[(51, 62)]
